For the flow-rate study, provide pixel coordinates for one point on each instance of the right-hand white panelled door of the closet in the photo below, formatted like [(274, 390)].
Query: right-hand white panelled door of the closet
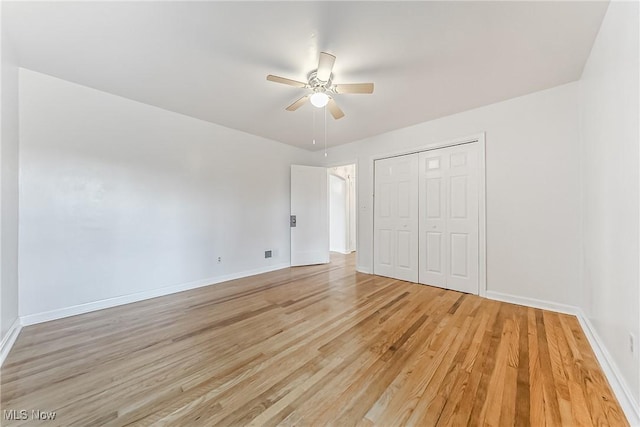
[(449, 218)]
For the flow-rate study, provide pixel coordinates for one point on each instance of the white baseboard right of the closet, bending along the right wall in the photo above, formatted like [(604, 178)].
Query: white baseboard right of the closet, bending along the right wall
[(614, 377)]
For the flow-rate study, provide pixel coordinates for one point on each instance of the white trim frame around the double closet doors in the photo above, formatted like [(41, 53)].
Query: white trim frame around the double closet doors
[(482, 198)]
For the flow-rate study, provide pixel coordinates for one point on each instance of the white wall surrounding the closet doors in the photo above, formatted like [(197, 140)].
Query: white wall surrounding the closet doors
[(532, 185)]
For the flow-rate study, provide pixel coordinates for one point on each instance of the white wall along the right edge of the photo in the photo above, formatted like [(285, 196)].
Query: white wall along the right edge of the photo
[(609, 117)]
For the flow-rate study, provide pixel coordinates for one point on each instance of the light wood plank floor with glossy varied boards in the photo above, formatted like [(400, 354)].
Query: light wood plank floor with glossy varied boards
[(311, 346)]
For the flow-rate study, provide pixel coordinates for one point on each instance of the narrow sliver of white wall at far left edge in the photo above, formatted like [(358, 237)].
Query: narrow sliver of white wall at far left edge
[(8, 188)]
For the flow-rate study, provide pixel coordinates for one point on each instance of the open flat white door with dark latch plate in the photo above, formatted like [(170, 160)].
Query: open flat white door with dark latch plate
[(309, 216)]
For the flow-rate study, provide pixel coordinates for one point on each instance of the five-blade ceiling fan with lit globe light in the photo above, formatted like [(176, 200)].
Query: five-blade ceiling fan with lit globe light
[(320, 82)]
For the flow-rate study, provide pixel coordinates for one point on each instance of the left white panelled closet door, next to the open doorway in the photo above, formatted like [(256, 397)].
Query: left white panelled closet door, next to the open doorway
[(396, 217)]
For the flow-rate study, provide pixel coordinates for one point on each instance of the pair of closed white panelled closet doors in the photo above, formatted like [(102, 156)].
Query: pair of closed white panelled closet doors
[(426, 217)]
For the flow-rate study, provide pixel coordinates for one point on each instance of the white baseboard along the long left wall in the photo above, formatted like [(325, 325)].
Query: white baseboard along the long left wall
[(33, 319)]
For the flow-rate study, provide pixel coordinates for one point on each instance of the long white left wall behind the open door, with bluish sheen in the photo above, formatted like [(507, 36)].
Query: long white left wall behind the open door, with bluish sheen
[(118, 197)]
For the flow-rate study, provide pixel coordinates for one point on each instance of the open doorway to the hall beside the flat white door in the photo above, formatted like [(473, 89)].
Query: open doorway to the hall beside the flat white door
[(342, 209)]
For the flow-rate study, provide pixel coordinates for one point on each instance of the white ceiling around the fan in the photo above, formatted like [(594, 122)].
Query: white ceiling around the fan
[(209, 60)]
